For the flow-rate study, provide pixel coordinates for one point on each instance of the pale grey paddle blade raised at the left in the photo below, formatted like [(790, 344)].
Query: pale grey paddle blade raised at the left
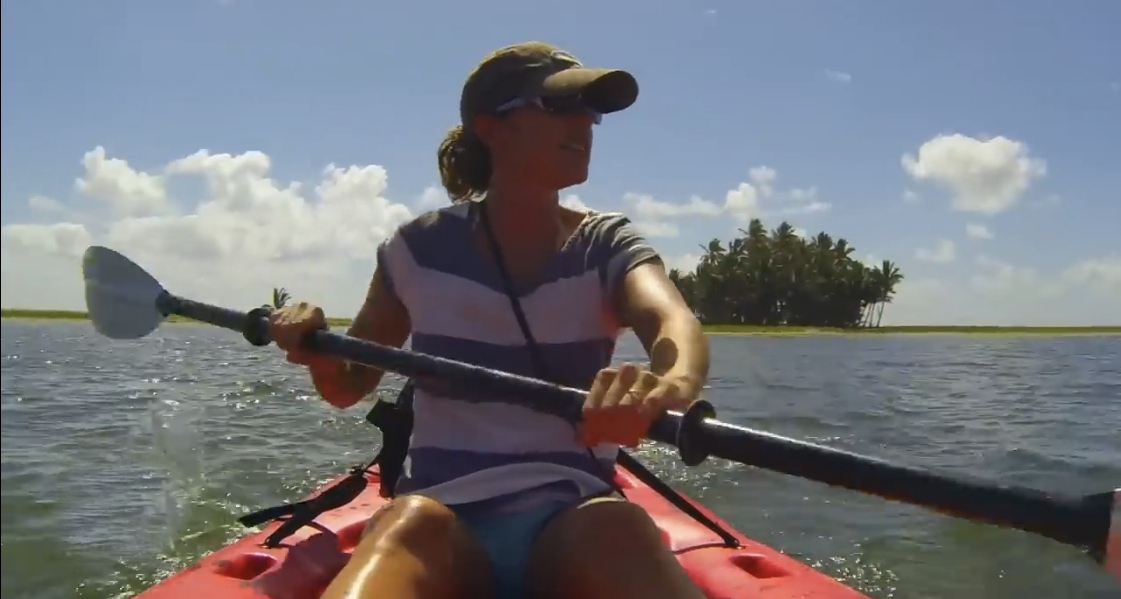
[(121, 297)]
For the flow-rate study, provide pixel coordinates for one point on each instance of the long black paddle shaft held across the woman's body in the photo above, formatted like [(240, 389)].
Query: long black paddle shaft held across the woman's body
[(1081, 522)]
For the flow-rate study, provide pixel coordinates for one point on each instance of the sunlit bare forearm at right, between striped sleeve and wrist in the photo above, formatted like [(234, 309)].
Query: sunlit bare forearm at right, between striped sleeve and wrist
[(671, 333)]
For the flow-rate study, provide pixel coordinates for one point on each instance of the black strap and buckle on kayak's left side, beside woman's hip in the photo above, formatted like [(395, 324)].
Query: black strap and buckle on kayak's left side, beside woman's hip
[(395, 420)]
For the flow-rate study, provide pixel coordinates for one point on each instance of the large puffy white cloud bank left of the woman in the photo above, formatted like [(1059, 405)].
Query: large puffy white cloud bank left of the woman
[(248, 235)]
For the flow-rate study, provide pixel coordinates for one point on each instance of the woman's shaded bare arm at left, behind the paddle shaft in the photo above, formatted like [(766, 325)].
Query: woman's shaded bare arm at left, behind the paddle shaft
[(384, 320)]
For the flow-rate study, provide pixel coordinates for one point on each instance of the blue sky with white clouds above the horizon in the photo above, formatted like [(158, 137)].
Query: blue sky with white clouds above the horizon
[(235, 146)]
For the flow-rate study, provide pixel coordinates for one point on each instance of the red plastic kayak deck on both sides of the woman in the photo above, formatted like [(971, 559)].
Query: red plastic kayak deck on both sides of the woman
[(307, 563)]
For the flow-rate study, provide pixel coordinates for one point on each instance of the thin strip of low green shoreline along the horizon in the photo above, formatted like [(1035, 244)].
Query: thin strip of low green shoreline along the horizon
[(716, 329)]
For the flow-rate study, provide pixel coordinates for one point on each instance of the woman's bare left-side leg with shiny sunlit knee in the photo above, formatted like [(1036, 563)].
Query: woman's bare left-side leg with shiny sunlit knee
[(414, 549)]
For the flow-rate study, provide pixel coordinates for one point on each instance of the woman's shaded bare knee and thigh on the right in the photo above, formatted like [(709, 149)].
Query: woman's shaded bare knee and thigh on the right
[(606, 548)]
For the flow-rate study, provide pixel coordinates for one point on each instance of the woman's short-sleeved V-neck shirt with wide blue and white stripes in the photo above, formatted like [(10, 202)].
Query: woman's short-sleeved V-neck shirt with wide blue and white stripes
[(465, 453)]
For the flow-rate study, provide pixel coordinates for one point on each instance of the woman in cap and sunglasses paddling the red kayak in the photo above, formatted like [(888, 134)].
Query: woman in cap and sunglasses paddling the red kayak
[(497, 501)]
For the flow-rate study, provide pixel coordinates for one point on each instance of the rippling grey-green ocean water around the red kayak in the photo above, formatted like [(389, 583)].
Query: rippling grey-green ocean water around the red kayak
[(126, 462)]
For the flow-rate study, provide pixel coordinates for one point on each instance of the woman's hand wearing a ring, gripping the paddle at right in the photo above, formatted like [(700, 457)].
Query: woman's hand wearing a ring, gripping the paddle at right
[(624, 402)]
